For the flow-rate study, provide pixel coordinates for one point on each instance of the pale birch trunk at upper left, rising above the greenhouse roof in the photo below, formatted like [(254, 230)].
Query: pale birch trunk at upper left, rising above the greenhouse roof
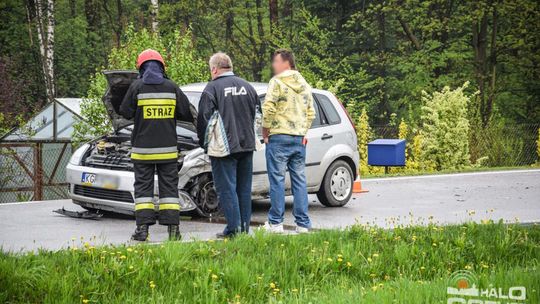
[(45, 33)]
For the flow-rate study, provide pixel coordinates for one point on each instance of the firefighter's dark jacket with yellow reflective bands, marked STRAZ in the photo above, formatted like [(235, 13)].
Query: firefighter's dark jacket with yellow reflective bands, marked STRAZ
[(155, 109)]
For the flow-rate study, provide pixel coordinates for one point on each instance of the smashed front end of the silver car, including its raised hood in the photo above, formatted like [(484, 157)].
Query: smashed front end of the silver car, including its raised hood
[(100, 173)]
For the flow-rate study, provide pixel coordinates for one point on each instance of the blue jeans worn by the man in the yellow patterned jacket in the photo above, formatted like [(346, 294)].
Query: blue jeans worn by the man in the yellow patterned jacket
[(287, 152)]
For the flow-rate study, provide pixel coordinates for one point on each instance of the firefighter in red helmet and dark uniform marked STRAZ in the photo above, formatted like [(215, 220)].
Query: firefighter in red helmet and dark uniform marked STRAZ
[(155, 103)]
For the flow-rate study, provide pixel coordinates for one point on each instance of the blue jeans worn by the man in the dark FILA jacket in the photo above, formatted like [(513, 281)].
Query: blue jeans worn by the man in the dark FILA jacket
[(232, 179)]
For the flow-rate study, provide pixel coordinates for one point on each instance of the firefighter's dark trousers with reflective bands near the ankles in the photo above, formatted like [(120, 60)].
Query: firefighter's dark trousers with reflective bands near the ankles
[(169, 207)]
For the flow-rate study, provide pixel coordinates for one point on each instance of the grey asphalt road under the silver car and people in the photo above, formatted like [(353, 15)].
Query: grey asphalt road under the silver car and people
[(444, 199)]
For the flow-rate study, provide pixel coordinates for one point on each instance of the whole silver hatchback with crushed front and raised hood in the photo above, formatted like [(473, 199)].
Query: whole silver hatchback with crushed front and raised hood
[(100, 173)]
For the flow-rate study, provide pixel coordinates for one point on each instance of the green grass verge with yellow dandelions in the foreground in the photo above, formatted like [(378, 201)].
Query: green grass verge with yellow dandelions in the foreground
[(359, 265)]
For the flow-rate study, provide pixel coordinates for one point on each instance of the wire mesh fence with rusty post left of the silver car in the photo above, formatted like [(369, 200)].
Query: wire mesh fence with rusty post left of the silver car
[(33, 171)]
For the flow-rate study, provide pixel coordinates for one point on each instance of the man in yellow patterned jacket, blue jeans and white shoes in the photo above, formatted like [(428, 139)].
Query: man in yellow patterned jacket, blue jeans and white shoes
[(287, 116)]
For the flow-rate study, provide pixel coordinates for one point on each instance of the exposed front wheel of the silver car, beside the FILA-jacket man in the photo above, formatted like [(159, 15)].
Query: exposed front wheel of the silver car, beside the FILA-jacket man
[(206, 197)]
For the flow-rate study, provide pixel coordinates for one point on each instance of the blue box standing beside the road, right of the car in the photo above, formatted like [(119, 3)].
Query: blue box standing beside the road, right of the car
[(386, 152)]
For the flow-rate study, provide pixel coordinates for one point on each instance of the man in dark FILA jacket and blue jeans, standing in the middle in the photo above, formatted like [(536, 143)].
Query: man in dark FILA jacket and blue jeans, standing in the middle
[(237, 103)]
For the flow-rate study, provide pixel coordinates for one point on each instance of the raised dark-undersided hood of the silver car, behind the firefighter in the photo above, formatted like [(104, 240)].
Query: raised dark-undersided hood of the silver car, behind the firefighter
[(118, 83)]
